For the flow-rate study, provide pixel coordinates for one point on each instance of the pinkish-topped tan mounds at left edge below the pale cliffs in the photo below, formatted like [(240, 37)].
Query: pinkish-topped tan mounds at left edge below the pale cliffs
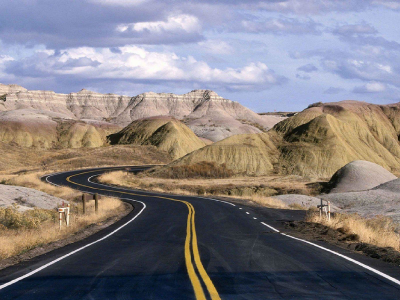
[(46, 129)]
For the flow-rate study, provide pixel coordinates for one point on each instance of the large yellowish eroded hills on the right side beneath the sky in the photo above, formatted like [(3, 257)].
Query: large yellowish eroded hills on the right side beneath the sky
[(315, 142)]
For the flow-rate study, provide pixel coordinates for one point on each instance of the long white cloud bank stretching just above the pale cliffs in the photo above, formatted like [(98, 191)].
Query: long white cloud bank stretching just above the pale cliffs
[(134, 63)]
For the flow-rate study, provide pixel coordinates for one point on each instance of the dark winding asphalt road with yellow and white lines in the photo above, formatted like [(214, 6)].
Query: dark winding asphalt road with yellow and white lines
[(180, 247)]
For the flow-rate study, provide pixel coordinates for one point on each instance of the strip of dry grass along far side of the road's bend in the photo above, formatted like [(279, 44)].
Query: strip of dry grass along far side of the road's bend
[(138, 182)]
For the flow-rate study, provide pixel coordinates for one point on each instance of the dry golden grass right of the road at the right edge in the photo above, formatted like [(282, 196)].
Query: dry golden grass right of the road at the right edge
[(379, 231)]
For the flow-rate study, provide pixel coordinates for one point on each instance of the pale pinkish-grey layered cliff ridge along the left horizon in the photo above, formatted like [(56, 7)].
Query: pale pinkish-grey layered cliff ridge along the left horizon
[(207, 114)]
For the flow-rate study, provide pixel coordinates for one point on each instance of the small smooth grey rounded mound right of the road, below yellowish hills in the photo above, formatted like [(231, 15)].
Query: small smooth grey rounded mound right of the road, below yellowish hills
[(359, 175)]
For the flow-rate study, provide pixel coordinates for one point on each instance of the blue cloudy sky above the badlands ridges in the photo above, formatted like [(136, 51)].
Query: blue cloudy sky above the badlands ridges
[(268, 55)]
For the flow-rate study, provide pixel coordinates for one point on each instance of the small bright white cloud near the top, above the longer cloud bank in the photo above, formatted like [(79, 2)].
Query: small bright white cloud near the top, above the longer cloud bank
[(182, 22)]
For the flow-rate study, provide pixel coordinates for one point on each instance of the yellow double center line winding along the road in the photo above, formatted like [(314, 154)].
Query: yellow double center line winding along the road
[(191, 240)]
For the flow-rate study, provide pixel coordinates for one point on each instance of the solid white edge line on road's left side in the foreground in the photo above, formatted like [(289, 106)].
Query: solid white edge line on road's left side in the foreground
[(75, 251)]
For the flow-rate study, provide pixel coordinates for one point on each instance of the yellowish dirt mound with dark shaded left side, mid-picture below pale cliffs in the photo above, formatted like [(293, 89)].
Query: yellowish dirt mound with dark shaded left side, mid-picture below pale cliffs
[(166, 133)]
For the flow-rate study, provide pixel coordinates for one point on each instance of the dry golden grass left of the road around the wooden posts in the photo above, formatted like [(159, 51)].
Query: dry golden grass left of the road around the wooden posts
[(22, 231)]
